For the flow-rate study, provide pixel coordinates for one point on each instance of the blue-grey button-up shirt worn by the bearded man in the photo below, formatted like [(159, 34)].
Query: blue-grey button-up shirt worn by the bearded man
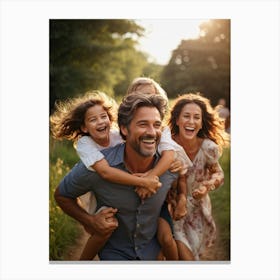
[(135, 237)]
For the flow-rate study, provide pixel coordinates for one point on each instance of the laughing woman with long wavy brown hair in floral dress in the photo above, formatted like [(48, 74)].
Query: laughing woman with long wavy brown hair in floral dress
[(196, 126)]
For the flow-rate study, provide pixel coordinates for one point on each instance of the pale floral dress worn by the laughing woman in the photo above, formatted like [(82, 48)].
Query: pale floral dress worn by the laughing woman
[(197, 230)]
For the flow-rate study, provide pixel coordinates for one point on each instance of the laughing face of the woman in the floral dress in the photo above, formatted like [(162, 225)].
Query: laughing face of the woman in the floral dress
[(189, 121)]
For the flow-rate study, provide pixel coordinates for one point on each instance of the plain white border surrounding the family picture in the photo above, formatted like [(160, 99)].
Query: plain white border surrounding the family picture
[(24, 138)]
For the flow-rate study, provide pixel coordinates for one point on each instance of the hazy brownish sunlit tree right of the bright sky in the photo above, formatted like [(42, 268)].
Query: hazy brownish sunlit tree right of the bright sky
[(201, 65)]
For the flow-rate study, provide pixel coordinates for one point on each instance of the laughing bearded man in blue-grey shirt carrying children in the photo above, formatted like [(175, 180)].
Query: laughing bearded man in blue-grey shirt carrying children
[(133, 234)]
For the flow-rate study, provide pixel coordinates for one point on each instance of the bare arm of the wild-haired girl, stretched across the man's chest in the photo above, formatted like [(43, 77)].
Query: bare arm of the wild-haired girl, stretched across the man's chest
[(115, 175)]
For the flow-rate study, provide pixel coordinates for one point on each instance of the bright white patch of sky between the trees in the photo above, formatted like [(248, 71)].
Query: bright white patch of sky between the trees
[(162, 36)]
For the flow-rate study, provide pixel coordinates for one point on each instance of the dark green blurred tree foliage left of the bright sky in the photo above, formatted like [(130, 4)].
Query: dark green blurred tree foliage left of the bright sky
[(93, 54)]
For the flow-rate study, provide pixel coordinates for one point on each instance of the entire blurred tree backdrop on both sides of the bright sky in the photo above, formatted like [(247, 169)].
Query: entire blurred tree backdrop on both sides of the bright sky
[(102, 54)]
